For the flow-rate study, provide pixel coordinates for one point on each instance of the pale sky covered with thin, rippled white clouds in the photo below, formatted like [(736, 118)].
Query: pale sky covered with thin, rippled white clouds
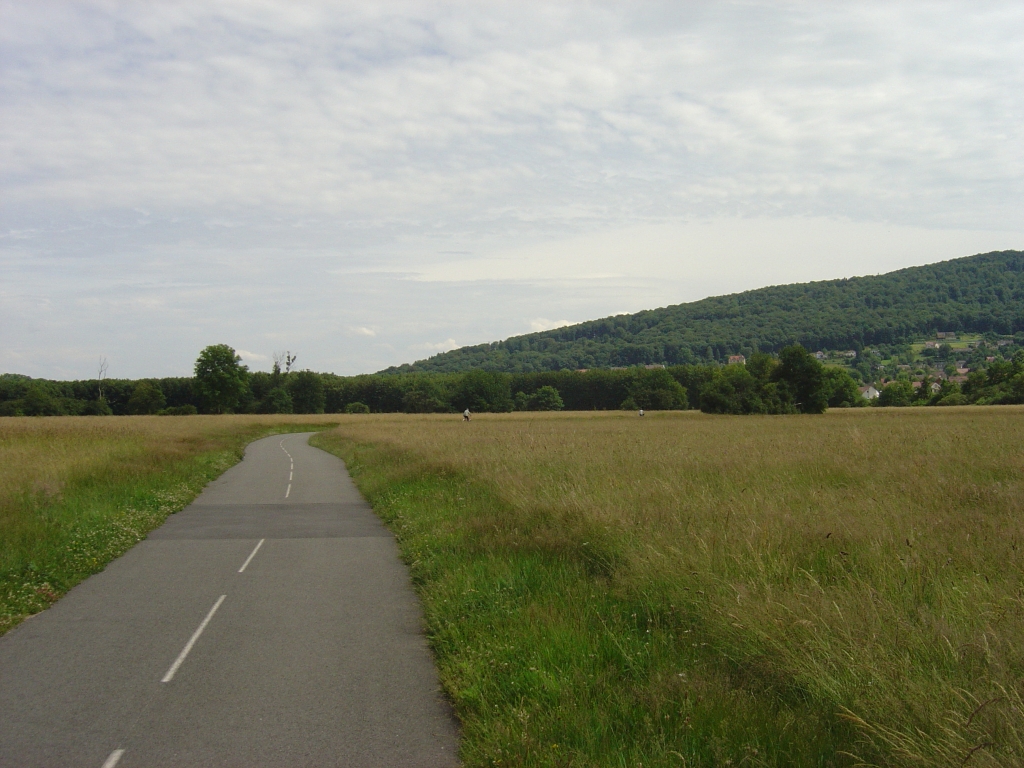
[(367, 185)]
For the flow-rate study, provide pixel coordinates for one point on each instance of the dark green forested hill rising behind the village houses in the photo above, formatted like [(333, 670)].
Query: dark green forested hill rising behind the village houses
[(975, 294)]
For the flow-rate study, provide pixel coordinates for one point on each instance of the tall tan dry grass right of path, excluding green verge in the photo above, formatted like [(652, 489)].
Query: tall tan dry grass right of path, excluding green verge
[(867, 565)]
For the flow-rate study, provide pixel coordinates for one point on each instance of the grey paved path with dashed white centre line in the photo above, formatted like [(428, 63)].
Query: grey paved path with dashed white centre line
[(312, 655)]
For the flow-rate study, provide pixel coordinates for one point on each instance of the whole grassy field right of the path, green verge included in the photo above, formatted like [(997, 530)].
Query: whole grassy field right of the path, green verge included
[(686, 590)]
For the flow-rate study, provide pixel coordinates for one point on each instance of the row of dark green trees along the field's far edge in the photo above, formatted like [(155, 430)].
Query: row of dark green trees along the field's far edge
[(790, 382)]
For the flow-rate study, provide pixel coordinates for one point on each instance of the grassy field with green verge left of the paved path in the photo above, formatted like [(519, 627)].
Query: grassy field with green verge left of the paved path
[(76, 493)]
